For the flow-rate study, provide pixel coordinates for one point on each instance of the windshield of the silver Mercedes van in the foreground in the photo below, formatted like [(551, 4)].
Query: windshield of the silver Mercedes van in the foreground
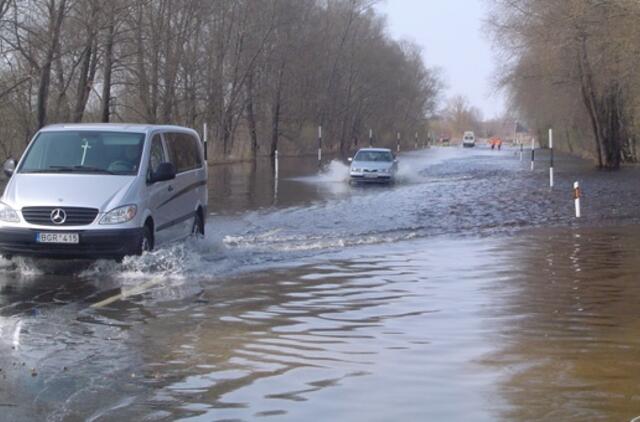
[(100, 152)]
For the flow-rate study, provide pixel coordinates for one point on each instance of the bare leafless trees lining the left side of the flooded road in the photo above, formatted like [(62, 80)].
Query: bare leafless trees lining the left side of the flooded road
[(263, 74)]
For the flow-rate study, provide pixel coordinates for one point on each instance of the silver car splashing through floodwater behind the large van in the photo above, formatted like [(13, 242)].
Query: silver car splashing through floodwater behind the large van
[(373, 165)]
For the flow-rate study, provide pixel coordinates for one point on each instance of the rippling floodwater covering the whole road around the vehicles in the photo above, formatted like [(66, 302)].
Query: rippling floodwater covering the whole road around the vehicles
[(466, 291)]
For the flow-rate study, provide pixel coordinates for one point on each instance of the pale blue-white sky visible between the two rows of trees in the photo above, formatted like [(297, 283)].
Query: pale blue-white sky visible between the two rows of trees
[(451, 35)]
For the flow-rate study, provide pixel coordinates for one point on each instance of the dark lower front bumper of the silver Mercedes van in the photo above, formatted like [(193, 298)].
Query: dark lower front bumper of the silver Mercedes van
[(93, 244)]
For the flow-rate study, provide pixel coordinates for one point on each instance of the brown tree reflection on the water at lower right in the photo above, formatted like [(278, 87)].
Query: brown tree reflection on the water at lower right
[(569, 325)]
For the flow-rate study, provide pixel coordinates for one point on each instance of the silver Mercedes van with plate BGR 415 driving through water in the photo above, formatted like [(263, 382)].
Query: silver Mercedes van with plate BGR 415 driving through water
[(103, 191)]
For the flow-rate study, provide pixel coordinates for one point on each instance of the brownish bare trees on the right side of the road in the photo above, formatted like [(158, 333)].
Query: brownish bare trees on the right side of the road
[(573, 65)]
